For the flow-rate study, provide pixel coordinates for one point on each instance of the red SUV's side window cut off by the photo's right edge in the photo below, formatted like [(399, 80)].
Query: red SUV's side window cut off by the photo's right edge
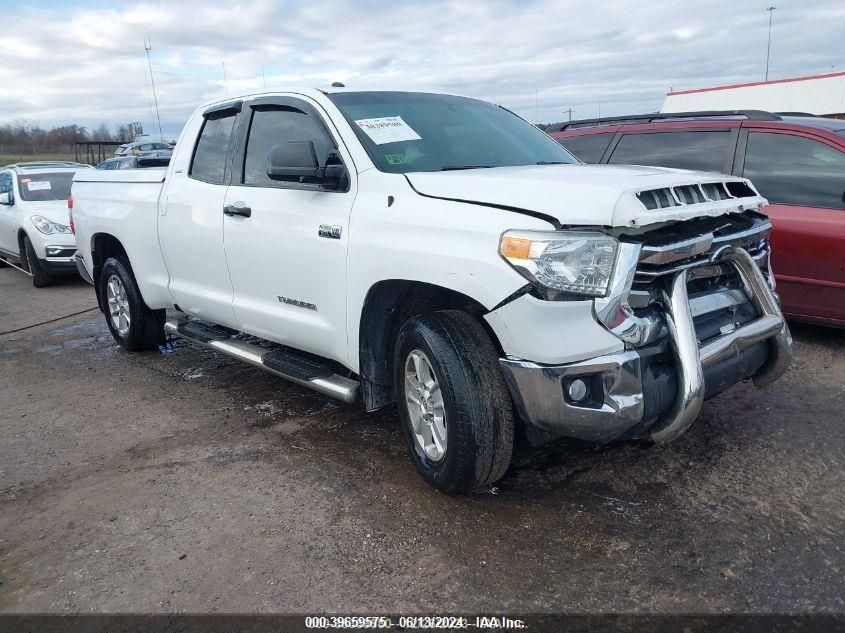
[(789, 169)]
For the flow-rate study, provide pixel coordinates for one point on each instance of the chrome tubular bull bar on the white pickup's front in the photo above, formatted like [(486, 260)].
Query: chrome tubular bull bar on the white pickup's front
[(691, 359)]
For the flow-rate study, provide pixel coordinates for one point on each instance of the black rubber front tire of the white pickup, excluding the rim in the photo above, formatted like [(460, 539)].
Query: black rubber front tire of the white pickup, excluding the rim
[(478, 406)]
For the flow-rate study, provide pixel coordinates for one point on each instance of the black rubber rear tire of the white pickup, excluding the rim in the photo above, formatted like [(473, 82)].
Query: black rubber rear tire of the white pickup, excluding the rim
[(146, 327)]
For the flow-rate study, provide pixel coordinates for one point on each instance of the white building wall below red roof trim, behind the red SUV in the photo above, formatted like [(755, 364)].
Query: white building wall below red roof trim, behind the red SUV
[(824, 94)]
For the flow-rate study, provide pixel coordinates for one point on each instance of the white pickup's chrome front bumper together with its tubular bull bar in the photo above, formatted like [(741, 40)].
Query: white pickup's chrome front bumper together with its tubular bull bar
[(630, 394)]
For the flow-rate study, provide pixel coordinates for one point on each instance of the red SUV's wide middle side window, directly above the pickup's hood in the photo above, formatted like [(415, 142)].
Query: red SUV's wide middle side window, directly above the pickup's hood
[(703, 151)]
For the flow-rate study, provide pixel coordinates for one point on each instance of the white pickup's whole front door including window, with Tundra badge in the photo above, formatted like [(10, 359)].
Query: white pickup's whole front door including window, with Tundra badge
[(289, 277)]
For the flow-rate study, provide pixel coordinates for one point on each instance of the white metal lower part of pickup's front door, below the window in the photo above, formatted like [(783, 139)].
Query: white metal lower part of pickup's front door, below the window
[(290, 283)]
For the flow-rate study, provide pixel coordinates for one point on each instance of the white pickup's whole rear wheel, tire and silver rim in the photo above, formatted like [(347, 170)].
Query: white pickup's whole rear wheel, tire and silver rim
[(130, 321)]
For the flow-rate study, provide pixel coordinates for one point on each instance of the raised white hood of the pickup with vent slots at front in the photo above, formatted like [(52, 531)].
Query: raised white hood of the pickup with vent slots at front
[(593, 195)]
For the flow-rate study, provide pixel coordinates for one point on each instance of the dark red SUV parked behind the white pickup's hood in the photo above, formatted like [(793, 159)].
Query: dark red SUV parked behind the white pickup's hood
[(796, 161)]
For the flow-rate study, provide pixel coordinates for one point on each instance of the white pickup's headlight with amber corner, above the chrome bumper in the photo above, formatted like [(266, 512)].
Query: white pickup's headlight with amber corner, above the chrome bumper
[(568, 261)]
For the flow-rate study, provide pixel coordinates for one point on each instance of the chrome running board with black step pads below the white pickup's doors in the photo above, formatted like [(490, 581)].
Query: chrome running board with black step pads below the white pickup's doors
[(284, 363)]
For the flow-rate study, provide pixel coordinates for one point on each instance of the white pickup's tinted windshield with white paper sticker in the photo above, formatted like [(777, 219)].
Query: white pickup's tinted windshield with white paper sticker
[(414, 131)]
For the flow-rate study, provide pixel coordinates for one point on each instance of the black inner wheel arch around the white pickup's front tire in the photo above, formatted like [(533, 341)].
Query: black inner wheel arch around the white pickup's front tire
[(388, 304)]
